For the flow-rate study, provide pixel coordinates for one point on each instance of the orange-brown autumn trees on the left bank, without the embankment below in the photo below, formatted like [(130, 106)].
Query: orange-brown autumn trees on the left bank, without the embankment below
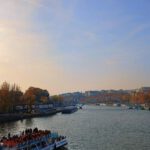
[(12, 97)]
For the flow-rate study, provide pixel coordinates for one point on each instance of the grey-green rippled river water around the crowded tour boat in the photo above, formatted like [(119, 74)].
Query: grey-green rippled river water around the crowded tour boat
[(94, 128)]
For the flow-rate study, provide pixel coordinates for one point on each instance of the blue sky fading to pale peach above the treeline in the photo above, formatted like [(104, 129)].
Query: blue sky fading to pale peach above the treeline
[(75, 45)]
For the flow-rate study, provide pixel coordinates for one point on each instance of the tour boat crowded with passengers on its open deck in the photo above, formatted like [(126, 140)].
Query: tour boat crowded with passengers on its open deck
[(33, 139)]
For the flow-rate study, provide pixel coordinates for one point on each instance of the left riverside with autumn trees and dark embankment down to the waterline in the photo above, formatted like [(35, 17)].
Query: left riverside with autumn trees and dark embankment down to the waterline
[(34, 102)]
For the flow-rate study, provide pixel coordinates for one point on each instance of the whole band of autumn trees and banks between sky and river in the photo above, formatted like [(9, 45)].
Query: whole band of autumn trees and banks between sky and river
[(37, 102)]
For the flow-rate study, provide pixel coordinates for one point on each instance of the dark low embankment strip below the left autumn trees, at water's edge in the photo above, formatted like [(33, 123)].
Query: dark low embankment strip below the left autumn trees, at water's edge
[(15, 116)]
